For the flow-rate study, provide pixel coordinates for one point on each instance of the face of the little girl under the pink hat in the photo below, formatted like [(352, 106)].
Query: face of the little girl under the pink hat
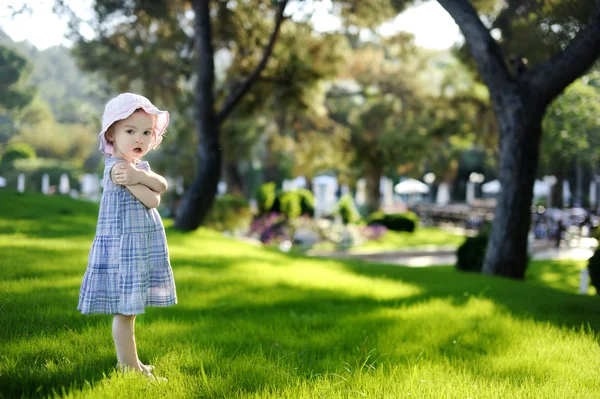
[(132, 136)]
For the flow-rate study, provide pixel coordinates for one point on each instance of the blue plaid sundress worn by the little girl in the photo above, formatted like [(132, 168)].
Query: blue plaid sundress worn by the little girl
[(128, 265)]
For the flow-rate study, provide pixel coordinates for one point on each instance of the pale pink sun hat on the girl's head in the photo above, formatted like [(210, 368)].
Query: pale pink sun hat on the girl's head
[(124, 105)]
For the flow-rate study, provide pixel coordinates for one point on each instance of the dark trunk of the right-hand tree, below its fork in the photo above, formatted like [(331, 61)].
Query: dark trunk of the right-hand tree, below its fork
[(520, 134)]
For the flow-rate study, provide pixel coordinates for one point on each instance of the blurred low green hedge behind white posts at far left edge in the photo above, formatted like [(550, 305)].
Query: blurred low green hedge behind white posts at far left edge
[(35, 168)]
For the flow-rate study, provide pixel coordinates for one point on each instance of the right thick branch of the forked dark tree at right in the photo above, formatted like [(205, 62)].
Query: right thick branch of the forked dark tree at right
[(550, 78)]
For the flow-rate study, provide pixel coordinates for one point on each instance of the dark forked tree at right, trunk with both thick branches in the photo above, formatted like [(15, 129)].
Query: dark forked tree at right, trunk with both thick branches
[(520, 100)]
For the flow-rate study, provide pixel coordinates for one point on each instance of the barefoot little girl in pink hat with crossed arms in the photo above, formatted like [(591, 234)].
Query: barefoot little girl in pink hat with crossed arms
[(128, 266)]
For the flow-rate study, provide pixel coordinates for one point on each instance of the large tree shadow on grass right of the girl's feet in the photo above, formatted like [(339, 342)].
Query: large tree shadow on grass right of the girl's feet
[(304, 332)]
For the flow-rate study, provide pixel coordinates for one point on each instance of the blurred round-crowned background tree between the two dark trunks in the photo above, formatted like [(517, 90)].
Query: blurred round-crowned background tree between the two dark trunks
[(387, 111)]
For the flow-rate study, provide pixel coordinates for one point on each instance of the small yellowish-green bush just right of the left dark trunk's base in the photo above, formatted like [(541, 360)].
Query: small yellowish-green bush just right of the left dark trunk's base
[(229, 213)]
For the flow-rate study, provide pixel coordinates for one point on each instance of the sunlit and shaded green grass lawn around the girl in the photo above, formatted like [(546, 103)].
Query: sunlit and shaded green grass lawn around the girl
[(255, 323)]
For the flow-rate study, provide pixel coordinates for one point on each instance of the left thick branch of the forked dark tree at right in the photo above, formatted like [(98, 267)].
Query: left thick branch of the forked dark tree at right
[(484, 49)]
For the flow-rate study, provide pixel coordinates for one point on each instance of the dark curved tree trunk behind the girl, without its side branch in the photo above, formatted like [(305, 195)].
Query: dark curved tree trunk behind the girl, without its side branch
[(198, 199)]
